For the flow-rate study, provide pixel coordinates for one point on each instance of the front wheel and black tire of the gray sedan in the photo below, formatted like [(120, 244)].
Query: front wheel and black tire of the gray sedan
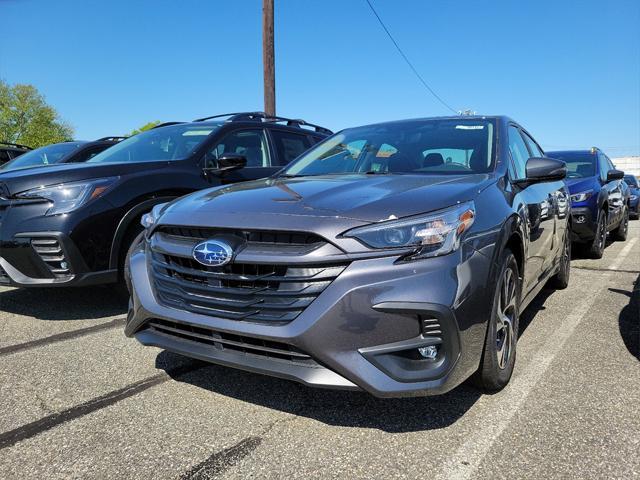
[(499, 354)]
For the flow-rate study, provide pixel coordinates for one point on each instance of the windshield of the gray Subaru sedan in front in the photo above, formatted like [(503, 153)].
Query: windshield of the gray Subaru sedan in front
[(424, 147)]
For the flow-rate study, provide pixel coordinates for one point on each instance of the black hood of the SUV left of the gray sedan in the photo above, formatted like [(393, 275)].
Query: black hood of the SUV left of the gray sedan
[(16, 181)]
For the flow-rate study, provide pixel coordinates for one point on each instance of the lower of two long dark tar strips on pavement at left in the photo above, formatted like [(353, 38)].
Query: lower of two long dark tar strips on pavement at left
[(11, 437)]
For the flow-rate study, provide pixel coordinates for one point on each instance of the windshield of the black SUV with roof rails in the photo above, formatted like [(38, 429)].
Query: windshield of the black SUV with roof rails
[(173, 142)]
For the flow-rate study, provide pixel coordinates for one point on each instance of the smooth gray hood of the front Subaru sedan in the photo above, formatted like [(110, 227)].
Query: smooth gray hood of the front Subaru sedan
[(365, 198)]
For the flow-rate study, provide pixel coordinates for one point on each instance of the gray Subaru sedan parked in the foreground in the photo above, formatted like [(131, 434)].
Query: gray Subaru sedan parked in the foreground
[(393, 258)]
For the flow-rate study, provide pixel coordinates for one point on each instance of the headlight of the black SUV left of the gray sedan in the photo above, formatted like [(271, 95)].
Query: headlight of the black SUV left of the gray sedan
[(66, 197)]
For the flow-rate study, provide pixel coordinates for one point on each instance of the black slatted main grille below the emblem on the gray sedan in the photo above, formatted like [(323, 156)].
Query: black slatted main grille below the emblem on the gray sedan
[(239, 291)]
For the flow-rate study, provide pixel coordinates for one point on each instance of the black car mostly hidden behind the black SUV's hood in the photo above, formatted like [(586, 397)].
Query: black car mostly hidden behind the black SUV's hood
[(64, 152)]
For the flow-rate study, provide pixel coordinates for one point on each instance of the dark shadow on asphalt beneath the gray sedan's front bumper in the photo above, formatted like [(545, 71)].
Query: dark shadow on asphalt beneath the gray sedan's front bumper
[(333, 407)]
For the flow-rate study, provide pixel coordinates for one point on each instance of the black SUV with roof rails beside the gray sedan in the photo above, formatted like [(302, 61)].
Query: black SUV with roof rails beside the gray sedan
[(73, 224)]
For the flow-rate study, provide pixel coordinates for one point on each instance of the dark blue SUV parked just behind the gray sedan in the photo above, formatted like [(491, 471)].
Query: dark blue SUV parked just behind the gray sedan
[(599, 198)]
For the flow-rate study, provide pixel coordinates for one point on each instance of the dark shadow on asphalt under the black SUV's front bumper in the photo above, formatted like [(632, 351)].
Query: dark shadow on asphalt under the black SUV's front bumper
[(63, 303)]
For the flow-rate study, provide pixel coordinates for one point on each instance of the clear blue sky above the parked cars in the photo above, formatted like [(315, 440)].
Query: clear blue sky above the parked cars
[(569, 71)]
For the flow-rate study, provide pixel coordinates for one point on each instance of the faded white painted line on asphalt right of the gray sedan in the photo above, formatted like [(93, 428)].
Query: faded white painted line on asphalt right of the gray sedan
[(501, 407)]
